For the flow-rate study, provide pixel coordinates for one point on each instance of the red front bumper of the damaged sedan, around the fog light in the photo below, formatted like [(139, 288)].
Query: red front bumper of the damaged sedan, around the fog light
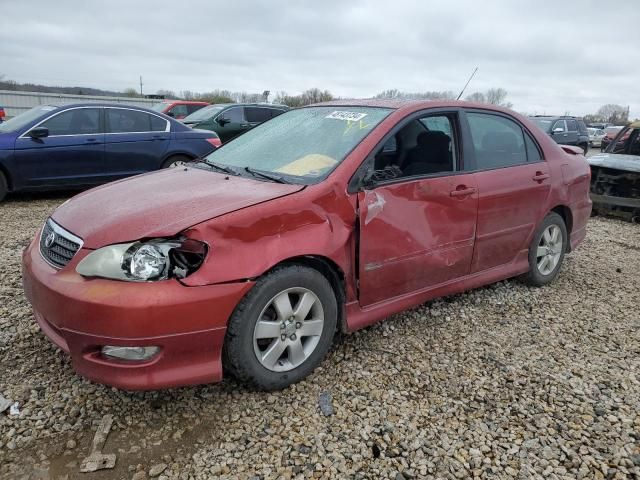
[(81, 315)]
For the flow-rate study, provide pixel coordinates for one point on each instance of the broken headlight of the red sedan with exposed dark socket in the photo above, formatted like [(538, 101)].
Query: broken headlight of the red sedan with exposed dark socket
[(145, 261)]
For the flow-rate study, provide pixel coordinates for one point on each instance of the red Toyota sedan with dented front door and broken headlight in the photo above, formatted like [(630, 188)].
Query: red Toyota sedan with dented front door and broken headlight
[(328, 217)]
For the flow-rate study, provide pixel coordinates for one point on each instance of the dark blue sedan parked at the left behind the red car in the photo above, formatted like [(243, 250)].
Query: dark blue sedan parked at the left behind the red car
[(51, 147)]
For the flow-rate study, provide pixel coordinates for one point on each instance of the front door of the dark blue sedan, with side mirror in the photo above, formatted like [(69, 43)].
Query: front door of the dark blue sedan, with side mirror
[(72, 154)]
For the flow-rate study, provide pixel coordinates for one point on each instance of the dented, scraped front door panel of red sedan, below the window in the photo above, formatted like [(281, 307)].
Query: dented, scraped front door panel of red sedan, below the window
[(416, 234)]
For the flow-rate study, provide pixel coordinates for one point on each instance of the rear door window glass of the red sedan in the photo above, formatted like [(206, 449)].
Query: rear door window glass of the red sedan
[(498, 142)]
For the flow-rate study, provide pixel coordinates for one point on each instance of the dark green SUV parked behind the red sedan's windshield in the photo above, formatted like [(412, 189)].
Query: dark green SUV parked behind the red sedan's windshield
[(233, 119)]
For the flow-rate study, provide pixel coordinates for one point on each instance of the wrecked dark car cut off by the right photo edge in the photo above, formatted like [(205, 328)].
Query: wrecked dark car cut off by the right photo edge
[(615, 175)]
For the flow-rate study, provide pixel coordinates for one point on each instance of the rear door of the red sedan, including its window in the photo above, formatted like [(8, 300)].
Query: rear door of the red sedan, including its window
[(513, 186)]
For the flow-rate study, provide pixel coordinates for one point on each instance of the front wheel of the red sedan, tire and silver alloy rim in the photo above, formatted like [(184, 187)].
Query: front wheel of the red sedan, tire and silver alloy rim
[(264, 346)]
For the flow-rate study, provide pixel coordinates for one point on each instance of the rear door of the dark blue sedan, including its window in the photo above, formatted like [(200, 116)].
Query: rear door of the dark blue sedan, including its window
[(135, 141)]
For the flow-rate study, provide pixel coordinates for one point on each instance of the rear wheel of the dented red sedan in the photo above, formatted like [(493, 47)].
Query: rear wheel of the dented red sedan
[(542, 272)]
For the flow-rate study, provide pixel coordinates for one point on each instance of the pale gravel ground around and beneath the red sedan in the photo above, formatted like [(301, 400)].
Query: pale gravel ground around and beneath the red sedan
[(502, 382)]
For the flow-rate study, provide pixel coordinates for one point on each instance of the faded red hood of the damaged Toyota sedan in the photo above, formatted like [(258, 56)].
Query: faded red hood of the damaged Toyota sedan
[(160, 204)]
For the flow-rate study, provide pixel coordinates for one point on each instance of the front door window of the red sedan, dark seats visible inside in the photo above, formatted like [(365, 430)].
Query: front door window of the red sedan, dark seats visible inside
[(424, 146)]
